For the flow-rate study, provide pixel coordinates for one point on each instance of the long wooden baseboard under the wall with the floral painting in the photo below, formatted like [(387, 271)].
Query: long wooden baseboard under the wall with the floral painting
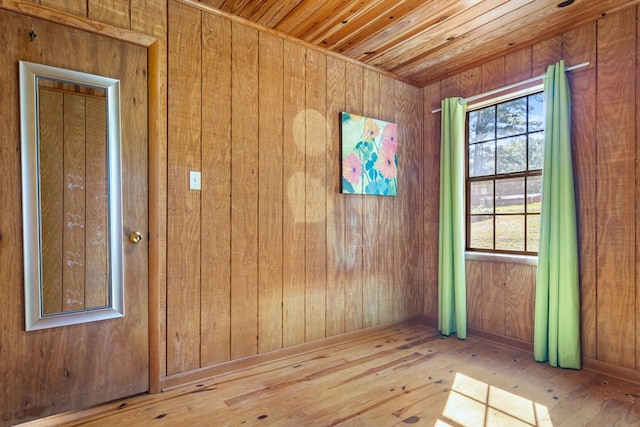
[(182, 379)]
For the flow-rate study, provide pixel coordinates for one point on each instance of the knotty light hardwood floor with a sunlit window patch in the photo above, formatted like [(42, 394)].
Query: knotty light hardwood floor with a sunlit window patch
[(404, 374)]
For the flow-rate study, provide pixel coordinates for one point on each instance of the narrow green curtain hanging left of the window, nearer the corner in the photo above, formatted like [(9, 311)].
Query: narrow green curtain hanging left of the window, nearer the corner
[(452, 293)]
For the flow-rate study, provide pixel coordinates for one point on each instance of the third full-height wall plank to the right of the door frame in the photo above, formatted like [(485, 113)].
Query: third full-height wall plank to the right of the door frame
[(244, 191)]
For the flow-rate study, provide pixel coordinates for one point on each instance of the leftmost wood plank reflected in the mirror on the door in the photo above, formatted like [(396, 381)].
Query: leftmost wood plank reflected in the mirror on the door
[(51, 206)]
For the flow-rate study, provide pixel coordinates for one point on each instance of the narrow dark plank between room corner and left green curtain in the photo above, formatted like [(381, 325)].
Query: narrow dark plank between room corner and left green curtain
[(430, 200)]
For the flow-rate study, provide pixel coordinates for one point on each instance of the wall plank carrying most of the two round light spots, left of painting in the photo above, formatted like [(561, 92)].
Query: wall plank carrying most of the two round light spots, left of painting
[(315, 194)]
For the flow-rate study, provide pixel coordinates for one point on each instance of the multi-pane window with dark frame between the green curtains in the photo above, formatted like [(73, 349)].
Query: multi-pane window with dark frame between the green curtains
[(505, 145)]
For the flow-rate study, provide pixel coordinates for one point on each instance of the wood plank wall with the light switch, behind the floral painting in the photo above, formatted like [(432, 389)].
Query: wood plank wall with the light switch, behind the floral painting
[(269, 254)]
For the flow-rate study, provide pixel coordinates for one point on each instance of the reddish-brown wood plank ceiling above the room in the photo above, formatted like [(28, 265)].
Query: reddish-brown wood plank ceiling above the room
[(421, 41)]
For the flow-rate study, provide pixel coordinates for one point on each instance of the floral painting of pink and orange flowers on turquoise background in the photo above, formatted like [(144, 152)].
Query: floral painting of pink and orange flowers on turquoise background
[(369, 155)]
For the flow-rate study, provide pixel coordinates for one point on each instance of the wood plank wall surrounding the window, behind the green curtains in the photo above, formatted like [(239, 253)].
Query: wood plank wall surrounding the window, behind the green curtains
[(606, 157)]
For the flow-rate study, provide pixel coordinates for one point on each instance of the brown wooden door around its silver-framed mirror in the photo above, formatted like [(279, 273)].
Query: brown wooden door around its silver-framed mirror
[(59, 369)]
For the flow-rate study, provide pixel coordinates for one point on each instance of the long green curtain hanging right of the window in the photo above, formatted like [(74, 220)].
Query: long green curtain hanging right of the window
[(557, 307)]
